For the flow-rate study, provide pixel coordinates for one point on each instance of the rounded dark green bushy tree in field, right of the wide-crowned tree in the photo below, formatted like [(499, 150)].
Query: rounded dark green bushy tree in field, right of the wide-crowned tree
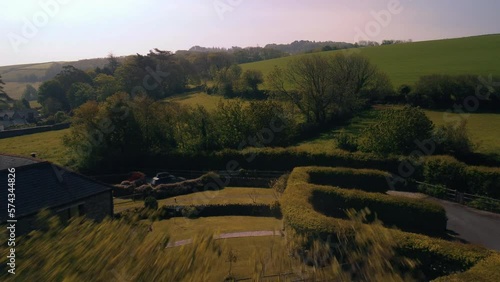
[(396, 131)]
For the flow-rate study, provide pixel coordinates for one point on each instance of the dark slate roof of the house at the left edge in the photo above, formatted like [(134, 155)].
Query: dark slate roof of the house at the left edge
[(45, 185)]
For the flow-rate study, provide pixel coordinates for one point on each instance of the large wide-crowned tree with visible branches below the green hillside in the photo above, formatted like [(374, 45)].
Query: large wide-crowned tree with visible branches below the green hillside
[(323, 87)]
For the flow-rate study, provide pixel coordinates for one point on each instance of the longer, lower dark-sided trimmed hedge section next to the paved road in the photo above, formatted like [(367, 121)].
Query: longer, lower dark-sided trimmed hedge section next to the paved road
[(407, 214)]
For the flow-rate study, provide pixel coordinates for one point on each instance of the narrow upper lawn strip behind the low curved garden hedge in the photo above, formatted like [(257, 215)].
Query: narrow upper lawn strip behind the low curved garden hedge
[(224, 196)]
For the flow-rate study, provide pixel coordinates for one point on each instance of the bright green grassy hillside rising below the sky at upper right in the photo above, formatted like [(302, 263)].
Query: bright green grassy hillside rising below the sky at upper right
[(404, 63)]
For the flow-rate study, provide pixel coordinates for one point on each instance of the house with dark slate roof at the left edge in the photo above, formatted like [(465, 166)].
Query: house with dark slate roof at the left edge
[(40, 184)]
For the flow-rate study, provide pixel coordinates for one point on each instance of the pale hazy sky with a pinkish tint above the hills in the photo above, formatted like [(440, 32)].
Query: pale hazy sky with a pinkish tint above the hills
[(33, 31)]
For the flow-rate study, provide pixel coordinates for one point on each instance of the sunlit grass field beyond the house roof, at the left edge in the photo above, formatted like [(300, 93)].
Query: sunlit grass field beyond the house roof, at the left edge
[(47, 145)]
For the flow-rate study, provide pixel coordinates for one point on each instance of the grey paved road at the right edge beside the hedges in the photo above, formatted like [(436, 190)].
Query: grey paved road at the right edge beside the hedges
[(473, 226)]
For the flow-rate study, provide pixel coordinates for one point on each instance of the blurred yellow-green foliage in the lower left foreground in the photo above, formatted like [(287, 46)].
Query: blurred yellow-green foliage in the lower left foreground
[(109, 251)]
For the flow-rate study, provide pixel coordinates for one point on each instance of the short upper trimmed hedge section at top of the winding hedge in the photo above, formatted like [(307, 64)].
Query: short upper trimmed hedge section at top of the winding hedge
[(368, 180)]
